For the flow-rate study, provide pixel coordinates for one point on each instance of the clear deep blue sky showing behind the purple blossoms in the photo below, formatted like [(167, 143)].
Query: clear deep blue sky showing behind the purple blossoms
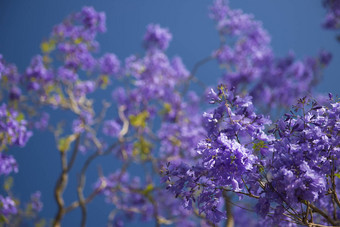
[(293, 26)]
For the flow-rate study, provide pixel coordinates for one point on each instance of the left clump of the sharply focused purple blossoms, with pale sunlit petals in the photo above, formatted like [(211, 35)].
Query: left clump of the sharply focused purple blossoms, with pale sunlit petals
[(227, 156)]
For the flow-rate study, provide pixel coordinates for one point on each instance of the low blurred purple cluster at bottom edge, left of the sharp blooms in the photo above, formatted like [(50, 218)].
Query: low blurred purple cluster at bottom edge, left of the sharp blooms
[(144, 201)]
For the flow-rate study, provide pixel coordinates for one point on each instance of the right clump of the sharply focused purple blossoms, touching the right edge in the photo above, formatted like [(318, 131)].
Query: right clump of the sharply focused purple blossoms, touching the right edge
[(304, 166)]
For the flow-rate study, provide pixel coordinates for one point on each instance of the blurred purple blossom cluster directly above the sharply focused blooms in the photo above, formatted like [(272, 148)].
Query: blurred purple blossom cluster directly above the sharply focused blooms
[(250, 65)]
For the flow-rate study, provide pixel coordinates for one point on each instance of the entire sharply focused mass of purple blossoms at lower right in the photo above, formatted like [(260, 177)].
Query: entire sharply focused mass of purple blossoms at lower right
[(291, 169)]
